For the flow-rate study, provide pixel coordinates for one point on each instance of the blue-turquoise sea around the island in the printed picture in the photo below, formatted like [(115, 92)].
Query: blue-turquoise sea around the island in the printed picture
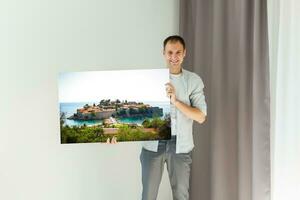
[(70, 108)]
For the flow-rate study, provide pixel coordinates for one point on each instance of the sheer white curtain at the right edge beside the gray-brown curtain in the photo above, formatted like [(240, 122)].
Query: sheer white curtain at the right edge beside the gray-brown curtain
[(284, 45)]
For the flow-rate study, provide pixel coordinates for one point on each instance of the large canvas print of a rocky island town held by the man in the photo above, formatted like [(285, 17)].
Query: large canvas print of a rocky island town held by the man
[(129, 104)]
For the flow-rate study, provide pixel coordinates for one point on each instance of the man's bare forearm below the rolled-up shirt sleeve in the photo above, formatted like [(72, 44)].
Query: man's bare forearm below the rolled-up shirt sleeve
[(190, 112)]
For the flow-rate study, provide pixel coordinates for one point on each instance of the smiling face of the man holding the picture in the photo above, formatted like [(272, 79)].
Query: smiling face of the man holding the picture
[(174, 54)]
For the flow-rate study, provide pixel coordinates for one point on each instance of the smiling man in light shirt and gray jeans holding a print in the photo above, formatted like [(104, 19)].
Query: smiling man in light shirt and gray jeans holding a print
[(185, 91)]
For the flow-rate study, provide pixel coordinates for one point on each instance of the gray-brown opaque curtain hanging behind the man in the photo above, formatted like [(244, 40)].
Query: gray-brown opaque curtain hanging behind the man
[(227, 46)]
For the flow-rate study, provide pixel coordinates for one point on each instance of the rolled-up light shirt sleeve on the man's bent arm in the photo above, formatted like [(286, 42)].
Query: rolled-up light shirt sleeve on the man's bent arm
[(197, 97)]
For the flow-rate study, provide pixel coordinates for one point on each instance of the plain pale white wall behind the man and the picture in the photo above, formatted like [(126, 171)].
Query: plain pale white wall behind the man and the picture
[(39, 39)]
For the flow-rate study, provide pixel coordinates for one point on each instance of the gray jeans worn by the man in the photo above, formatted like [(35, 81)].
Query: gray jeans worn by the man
[(178, 166)]
